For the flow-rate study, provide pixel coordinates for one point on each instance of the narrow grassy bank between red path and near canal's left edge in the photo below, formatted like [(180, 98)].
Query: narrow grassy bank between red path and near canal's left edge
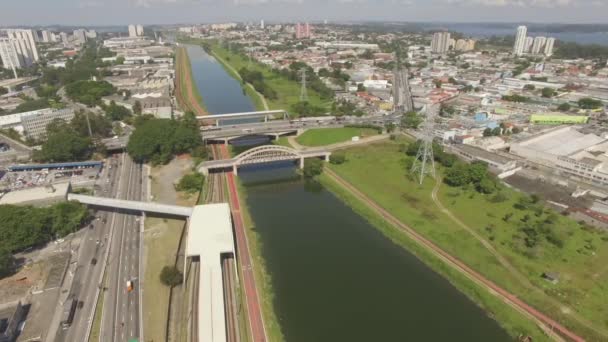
[(262, 278)]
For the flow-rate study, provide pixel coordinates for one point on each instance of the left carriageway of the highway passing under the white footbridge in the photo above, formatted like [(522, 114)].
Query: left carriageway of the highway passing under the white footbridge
[(88, 271)]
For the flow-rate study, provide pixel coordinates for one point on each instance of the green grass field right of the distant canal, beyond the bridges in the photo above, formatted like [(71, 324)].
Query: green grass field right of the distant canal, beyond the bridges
[(288, 91)]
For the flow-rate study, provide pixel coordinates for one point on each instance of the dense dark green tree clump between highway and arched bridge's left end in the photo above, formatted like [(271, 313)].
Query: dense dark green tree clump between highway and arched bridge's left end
[(158, 140)]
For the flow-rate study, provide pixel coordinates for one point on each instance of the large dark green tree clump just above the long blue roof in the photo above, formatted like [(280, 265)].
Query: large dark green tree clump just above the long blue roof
[(63, 144)]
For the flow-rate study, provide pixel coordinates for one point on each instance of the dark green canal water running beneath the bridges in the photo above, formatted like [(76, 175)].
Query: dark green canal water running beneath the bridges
[(335, 277)]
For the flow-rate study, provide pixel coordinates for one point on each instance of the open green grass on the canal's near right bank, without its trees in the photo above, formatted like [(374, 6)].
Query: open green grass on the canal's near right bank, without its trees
[(378, 170)]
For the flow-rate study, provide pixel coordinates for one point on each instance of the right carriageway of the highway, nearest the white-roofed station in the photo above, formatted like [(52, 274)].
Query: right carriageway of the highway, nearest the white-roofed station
[(121, 309)]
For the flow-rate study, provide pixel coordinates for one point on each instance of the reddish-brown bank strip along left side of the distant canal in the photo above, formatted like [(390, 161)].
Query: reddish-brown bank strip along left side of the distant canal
[(188, 95)]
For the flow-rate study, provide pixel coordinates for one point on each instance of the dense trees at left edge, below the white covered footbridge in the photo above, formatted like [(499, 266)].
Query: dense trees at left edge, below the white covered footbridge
[(23, 227)]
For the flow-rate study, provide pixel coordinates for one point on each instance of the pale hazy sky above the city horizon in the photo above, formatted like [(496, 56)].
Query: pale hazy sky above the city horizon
[(122, 12)]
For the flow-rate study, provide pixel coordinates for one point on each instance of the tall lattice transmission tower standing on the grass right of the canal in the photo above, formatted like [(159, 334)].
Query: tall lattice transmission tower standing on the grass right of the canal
[(424, 163)]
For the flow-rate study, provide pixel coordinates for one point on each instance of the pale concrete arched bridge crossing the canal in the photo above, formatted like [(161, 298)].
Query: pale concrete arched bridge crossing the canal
[(261, 155)]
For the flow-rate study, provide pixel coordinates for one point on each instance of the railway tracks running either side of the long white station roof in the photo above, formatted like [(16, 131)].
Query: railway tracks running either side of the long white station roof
[(216, 193)]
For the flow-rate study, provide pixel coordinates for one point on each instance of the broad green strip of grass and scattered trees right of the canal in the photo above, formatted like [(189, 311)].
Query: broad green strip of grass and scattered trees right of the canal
[(530, 237)]
